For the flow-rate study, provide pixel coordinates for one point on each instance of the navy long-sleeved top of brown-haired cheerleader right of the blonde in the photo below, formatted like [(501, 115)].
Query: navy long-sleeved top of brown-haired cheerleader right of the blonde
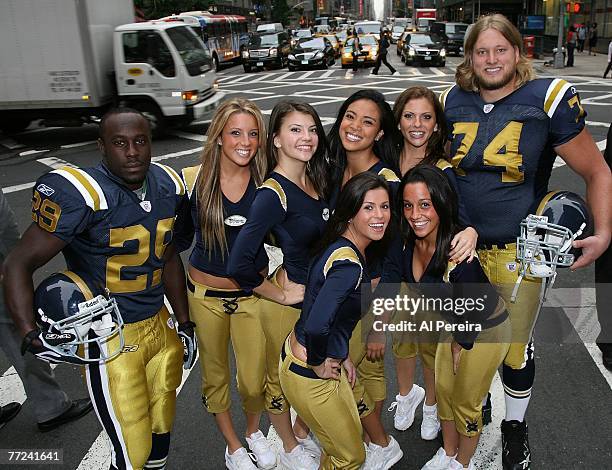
[(296, 221)]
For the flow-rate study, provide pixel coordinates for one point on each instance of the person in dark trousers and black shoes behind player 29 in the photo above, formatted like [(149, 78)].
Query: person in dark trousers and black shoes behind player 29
[(52, 407)]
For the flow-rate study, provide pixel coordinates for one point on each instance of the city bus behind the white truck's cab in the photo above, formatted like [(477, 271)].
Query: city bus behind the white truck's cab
[(225, 35)]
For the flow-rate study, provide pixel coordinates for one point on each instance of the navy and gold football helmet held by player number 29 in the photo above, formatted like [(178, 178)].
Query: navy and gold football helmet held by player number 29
[(70, 314)]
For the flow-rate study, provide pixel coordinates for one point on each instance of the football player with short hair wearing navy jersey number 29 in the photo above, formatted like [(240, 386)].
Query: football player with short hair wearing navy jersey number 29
[(113, 223)]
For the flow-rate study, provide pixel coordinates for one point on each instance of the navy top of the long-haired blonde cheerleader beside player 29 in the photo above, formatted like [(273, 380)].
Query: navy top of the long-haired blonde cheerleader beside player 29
[(214, 261)]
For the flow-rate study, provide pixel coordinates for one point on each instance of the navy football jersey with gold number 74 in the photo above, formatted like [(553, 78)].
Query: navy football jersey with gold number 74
[(503, 152)]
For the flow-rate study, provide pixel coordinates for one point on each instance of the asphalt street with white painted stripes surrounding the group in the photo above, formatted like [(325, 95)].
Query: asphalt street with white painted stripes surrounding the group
[(570, 416)]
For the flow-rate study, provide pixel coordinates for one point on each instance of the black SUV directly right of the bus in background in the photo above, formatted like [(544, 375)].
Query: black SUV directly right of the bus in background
[(266, 50)]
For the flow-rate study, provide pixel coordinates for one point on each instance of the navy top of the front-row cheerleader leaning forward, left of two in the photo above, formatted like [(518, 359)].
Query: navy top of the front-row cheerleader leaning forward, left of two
[(332, 302)]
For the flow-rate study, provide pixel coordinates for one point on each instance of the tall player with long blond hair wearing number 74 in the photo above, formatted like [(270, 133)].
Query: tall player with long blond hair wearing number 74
[(506, 129)]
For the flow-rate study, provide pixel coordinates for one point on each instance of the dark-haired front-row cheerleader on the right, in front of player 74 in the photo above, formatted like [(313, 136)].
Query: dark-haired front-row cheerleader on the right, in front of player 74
[(467, 358)]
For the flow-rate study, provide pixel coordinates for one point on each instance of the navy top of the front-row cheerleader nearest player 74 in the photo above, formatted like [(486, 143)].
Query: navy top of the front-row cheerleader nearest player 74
[(455, 282)]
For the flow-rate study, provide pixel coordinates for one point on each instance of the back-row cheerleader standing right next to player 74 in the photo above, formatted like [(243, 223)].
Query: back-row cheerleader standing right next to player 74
[(421, 121)]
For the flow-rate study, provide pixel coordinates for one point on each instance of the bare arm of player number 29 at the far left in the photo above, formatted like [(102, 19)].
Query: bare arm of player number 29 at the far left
[(34, 250)]
